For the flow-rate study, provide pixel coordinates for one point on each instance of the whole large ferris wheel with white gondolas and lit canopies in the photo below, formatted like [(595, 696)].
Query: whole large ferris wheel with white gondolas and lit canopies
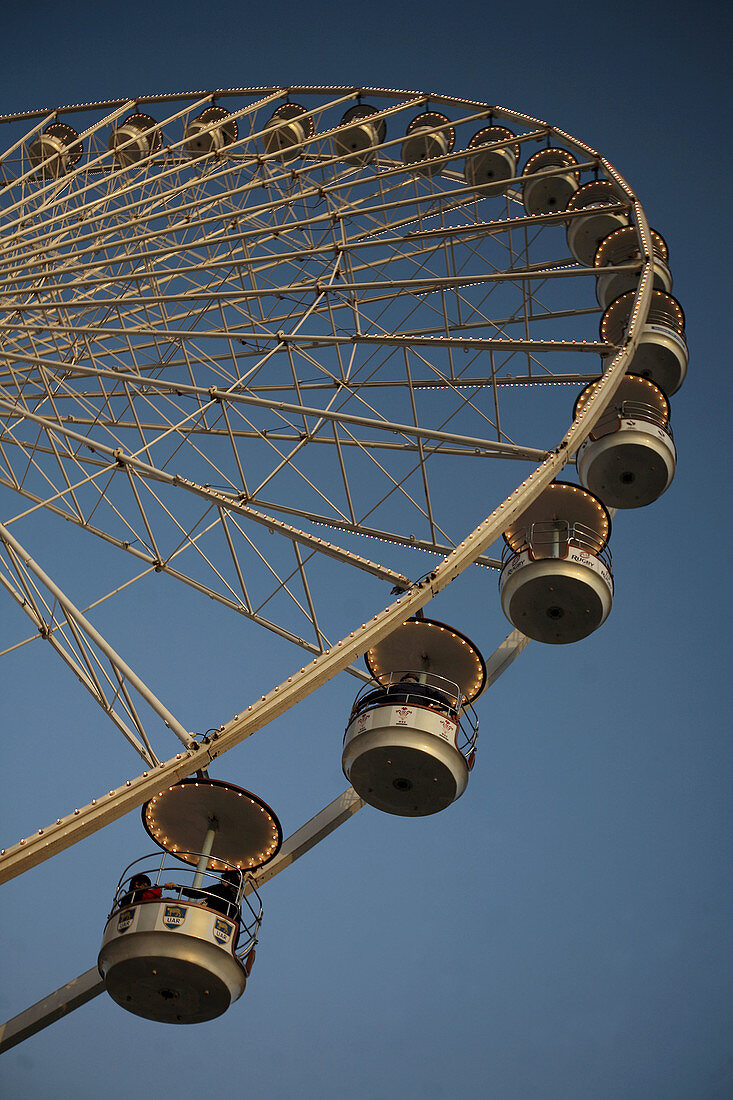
[(312, 354)]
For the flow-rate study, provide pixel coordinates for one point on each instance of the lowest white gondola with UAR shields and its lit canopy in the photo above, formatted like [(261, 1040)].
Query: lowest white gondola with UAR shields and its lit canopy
[(180, 952)]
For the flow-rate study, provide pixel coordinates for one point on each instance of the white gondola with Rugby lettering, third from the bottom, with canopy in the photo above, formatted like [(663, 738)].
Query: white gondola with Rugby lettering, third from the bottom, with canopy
[(556, 584)]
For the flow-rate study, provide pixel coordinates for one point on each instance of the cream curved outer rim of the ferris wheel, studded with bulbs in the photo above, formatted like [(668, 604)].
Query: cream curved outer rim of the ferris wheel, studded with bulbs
[(36, 849)]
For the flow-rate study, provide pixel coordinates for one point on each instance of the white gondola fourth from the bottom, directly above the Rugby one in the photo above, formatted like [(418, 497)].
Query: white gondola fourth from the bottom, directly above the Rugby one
[(629, 459)]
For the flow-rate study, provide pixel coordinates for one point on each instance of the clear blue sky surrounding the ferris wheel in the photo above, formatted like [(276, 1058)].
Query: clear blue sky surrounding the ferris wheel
[(564, 930)]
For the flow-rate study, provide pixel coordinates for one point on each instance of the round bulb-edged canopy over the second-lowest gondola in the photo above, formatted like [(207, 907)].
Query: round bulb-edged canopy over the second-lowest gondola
[(452, 655)]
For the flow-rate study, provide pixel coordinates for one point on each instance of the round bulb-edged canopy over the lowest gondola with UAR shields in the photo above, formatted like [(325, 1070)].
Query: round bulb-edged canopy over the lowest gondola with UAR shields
[(249, 834)]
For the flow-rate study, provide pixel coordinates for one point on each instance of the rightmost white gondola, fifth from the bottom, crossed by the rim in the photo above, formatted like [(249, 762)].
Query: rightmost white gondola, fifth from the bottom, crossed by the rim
[(662, 355)]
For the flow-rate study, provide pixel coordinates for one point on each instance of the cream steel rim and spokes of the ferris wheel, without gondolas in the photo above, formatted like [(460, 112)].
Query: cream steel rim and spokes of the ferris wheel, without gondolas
[(93, 460)]
